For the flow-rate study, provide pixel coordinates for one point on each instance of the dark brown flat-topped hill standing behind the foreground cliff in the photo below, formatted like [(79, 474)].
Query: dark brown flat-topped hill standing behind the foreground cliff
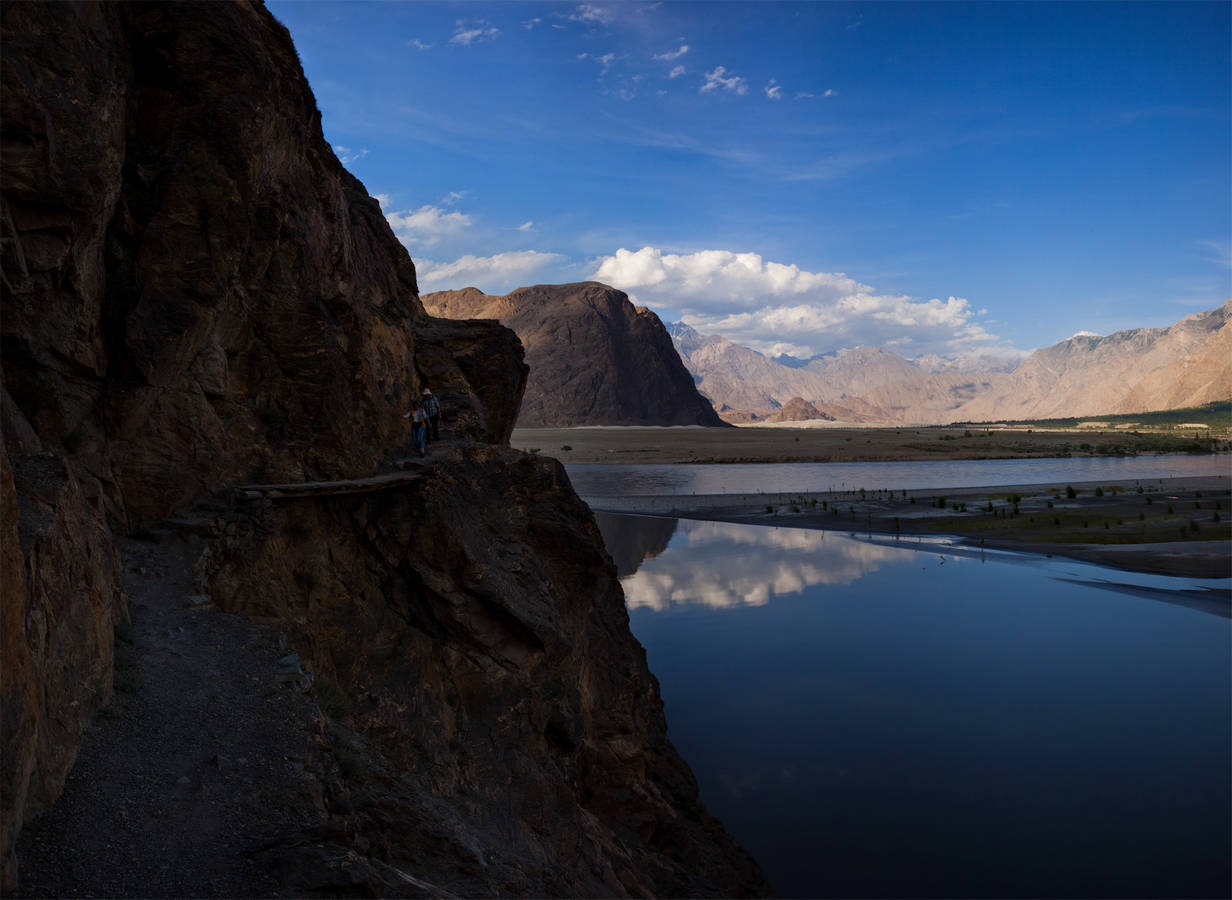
[(596, 359)]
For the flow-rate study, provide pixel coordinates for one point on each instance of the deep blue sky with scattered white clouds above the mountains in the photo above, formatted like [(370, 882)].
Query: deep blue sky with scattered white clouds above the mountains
[(801, 178)]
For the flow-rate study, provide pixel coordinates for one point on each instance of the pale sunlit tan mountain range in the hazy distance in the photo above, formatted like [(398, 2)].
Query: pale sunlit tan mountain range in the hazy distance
[(1133, 371)]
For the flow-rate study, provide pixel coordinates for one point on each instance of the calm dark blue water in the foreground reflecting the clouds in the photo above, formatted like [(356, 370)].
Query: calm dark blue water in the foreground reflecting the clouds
[(880, 718)]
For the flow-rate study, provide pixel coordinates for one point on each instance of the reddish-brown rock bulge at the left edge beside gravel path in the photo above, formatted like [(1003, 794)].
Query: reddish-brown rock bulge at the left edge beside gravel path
[(61, 598)]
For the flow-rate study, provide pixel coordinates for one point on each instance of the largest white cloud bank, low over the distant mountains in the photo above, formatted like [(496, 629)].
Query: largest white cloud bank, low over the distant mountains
[(777, 307)]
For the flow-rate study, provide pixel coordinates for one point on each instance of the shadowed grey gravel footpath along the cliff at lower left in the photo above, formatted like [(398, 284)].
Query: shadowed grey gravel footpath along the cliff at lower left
[(205, 758)]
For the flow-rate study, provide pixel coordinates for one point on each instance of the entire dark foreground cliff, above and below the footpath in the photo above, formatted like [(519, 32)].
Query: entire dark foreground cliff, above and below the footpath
[(197, 295)]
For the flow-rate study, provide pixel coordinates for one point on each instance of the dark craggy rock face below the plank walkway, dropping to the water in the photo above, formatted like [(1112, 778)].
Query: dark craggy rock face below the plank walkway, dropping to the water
[(481, 636)]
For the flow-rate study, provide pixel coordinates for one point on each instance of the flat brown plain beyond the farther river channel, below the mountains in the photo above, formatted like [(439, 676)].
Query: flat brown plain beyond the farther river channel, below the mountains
[(645, 445)]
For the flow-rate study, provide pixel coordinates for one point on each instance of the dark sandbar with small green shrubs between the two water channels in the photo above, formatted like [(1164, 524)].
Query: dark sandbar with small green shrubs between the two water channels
[(1173, 526)]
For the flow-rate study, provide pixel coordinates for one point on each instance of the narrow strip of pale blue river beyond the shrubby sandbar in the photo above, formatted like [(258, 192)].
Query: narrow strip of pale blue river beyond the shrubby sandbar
[(614, 481)]
